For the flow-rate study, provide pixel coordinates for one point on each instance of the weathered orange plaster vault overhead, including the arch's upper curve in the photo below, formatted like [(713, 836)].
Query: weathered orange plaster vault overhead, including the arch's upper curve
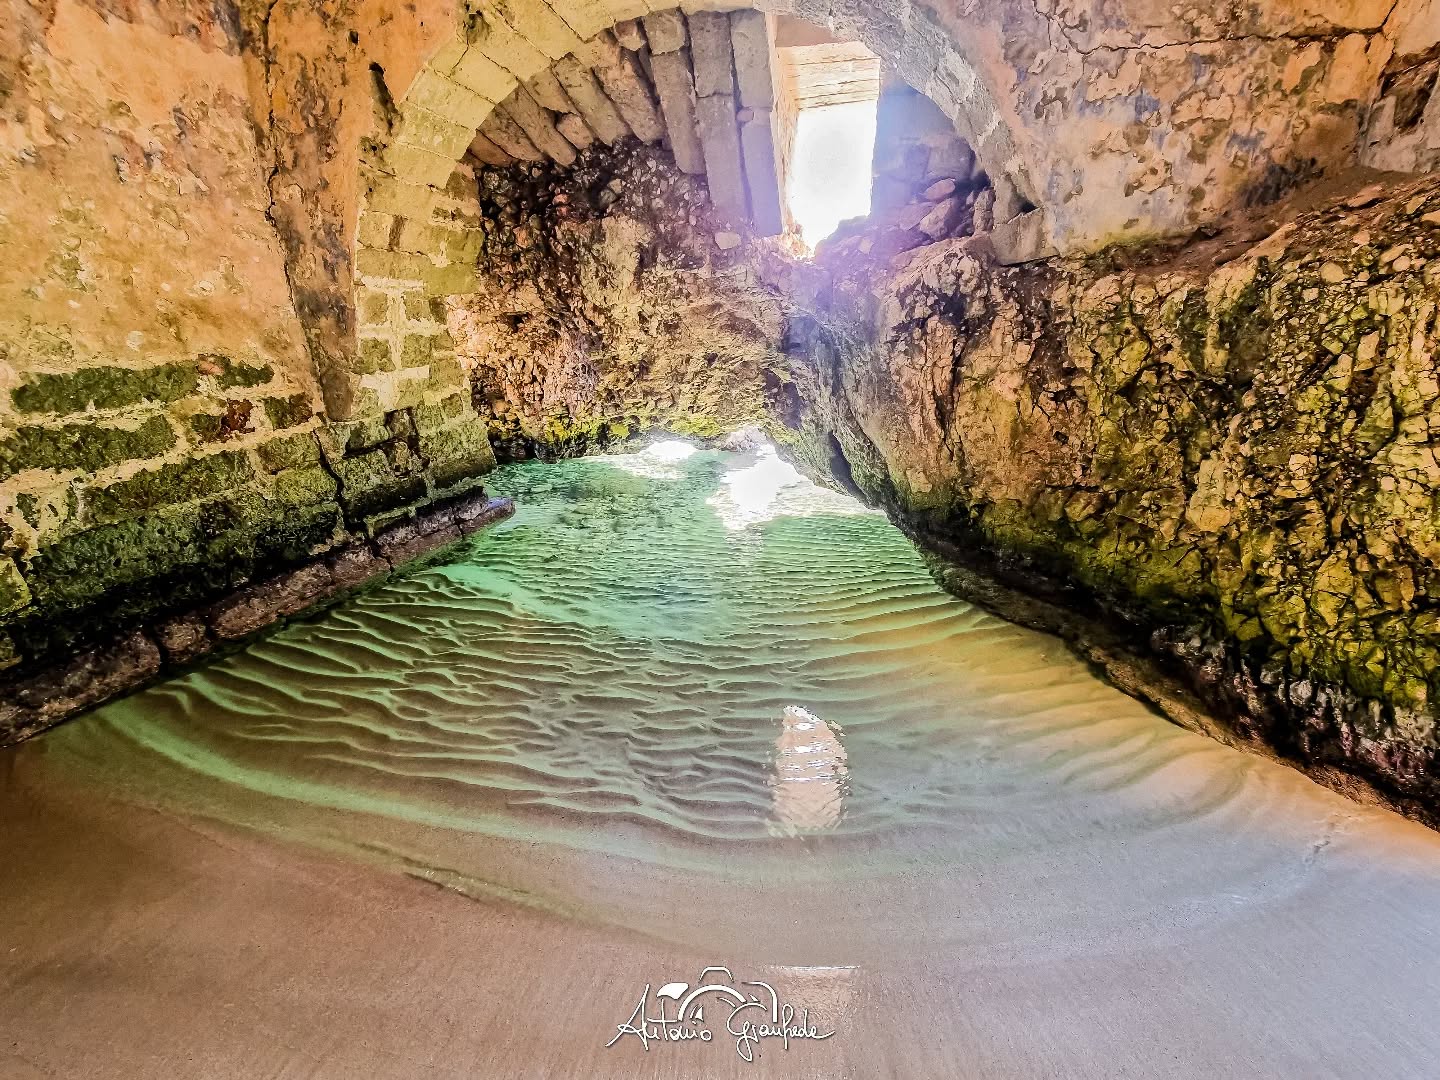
[(1117, 122)]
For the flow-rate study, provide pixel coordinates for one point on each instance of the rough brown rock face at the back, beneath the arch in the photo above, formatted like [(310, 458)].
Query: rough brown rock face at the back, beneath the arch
[(611, 302)]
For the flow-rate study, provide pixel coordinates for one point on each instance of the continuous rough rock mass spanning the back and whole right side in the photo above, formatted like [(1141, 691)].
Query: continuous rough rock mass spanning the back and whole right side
[(1223, 451)]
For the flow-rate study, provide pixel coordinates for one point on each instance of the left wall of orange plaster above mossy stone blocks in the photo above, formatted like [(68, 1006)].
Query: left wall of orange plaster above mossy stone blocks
[(162, 428)]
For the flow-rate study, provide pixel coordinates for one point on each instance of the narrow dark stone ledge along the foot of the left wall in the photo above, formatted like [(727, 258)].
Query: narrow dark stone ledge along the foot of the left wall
[(32, 705)]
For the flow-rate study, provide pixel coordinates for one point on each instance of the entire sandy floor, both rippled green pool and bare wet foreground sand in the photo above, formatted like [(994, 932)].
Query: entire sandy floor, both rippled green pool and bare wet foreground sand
[(683, 711)]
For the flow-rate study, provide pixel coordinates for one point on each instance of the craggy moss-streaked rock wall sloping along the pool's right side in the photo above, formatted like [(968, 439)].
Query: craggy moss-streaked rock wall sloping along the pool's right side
[(1228, 449)]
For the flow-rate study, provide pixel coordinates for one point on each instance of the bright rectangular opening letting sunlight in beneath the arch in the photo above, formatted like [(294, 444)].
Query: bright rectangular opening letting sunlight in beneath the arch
[(827, 99)]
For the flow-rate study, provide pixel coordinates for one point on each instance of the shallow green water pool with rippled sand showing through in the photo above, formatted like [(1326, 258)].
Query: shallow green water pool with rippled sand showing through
[(667, 657)]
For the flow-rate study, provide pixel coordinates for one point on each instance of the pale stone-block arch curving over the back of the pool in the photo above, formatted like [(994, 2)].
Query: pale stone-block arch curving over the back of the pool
[(413, 243)]
